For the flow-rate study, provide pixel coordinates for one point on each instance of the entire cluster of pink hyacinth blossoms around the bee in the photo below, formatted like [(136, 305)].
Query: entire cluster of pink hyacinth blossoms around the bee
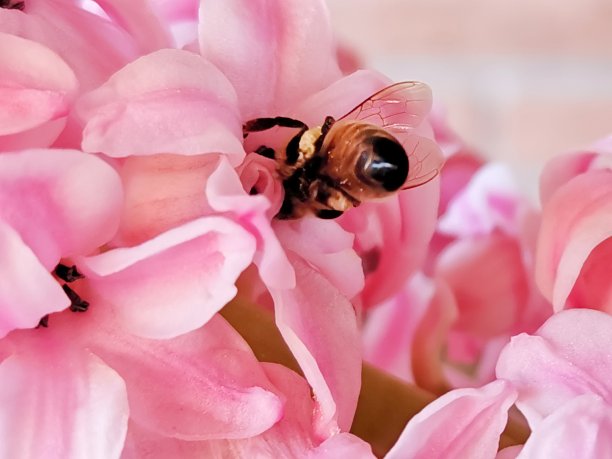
[(134, 214)]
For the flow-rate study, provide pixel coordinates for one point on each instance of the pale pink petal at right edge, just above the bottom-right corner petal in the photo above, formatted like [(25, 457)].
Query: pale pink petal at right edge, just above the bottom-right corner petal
[(568, 357)]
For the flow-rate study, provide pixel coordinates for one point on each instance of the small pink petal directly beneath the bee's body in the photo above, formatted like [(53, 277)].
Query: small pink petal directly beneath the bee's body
[(327, 247)]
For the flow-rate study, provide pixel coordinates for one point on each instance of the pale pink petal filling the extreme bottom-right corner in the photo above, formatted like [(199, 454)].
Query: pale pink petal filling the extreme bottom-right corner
[(580, 428)]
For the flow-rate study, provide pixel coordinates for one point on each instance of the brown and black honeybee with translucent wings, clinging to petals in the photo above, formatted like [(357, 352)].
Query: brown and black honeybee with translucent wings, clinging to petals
[(371, 152)]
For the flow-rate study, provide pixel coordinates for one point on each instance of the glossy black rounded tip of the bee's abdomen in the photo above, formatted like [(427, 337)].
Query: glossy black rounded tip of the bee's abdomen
[(387, 165)]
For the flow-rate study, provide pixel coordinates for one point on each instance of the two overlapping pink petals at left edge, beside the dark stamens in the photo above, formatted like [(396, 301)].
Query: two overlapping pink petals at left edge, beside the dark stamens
[(53, 204)]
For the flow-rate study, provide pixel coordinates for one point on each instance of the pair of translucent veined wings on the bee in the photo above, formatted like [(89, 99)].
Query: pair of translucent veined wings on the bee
[(400, 108)]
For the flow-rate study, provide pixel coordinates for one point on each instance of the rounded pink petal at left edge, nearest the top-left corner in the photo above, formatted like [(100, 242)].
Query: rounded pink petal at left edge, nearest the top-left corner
[(36, 87)]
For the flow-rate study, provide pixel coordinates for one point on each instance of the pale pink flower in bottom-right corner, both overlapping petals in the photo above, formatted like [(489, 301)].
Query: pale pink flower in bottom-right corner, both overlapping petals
[(562, 375)]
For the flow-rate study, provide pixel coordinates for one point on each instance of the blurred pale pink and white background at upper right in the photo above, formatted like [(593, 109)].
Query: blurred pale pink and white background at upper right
[(520, 81)]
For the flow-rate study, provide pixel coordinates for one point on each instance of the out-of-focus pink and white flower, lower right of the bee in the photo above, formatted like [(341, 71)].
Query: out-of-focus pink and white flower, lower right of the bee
[(480, 292)]
